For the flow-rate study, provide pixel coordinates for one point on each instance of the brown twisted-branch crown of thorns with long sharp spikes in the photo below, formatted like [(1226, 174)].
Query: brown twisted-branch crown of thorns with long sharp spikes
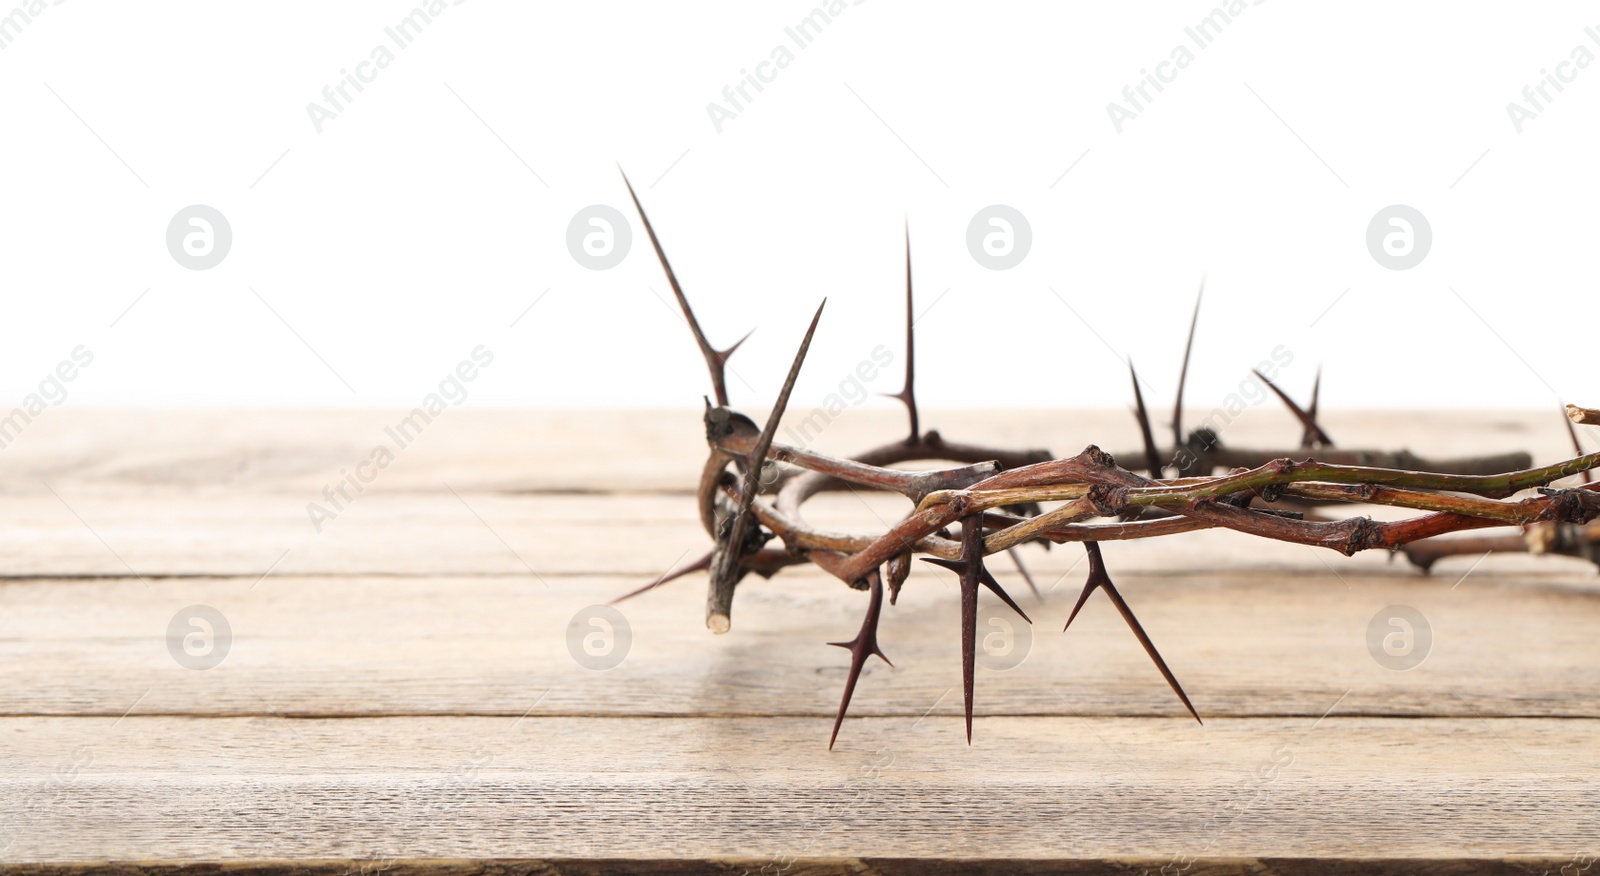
[(998, 500)]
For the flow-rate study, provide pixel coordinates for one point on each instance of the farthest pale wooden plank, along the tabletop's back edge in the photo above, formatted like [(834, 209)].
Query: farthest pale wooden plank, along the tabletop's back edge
[(516, 452)]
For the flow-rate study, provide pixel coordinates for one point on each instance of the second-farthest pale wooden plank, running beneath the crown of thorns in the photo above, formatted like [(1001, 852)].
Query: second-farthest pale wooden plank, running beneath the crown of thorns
[(94, 532)]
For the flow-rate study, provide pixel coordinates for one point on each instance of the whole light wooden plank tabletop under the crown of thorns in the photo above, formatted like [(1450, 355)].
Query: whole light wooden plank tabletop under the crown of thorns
[(399, 690)]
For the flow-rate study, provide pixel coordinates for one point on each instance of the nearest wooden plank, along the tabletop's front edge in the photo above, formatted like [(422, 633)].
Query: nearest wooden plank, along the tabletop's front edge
[(1156, 792)]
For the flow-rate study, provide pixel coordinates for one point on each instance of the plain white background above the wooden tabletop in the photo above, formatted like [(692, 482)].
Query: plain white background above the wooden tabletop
[(433, 212)]
